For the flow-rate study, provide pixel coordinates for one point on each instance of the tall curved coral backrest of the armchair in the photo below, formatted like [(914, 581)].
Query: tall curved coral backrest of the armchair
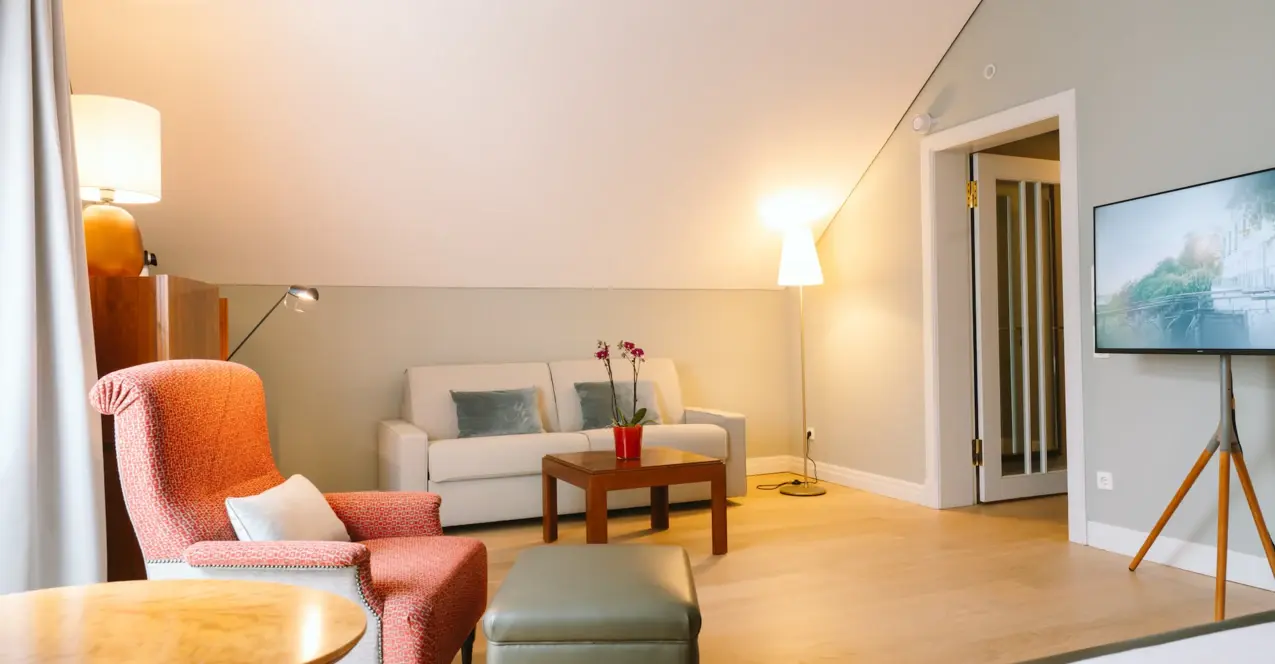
[(188, 435)]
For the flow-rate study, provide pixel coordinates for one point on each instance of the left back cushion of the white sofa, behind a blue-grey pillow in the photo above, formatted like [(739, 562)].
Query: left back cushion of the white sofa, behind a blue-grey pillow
[(428, 396)]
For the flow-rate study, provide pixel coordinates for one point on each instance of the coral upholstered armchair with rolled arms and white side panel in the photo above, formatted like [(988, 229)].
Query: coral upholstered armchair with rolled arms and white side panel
[(191, 434)]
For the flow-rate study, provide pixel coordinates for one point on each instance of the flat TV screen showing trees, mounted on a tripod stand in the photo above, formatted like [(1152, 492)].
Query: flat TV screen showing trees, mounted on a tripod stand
[(1190, 271)]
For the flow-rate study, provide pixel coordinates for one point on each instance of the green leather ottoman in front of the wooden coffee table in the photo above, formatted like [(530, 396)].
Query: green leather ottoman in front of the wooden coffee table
[(594, 603)]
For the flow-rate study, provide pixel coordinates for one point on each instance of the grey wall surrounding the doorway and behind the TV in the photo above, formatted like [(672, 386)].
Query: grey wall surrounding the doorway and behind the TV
[(1169, 94)]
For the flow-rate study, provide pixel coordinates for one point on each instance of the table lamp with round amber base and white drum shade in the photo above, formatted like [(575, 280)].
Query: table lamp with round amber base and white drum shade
[(118, 159)]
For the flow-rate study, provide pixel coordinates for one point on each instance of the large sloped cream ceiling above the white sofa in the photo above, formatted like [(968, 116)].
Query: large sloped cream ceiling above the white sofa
[(503, 143)]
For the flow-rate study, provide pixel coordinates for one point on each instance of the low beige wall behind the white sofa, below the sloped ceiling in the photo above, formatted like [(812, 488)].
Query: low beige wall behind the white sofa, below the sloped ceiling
[(331, 374)]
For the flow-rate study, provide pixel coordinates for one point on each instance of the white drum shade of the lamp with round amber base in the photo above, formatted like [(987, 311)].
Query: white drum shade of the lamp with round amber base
[(117, 148)]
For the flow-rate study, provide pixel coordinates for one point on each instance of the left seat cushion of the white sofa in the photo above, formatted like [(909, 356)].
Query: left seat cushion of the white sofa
[(498, 456)]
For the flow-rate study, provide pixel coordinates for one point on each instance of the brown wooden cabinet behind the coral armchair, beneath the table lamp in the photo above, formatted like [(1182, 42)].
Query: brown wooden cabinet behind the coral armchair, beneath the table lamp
[(140, 321)]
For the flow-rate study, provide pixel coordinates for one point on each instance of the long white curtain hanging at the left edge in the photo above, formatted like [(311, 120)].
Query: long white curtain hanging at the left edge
[(52, 508)]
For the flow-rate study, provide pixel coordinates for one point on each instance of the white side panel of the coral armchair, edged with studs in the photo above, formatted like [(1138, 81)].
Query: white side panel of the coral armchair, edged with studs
[(337, 581)]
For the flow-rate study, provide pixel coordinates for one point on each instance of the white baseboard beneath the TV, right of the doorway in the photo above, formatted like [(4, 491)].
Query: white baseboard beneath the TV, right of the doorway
[(1202, 559)]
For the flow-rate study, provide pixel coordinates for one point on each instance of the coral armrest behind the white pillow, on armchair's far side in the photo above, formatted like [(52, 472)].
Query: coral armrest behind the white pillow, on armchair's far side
[(387, 514)]
